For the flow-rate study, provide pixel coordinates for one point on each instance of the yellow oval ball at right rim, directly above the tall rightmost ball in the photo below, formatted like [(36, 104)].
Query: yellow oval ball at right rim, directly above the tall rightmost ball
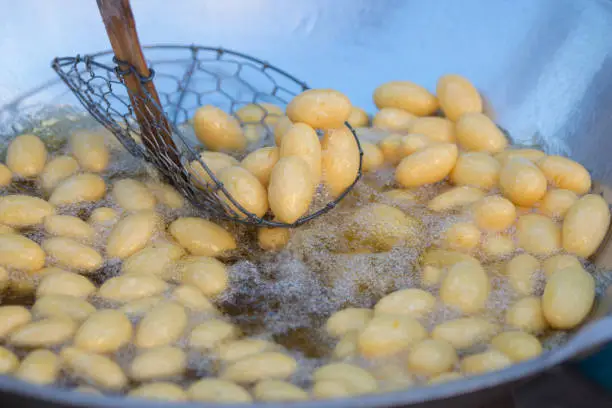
[(565, 173)]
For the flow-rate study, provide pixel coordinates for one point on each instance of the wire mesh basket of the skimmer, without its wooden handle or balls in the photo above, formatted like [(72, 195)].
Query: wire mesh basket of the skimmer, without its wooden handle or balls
[(188, 77)]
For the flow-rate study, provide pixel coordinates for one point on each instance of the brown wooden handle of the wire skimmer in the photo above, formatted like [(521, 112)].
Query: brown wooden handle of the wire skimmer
[(121, 30)]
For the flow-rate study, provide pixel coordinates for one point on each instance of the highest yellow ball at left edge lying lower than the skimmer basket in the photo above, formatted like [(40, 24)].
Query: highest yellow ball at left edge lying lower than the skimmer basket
[(19, 252)]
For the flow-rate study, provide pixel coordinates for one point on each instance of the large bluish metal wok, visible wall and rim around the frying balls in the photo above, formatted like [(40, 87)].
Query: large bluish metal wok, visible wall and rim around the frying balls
[(544, 66)]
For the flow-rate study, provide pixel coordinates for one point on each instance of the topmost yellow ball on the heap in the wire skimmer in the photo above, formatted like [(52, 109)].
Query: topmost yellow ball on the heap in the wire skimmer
[(320, 108)]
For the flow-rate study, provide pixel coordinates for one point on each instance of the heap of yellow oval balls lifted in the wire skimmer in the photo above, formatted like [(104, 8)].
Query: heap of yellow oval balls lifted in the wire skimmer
[(282, 178)]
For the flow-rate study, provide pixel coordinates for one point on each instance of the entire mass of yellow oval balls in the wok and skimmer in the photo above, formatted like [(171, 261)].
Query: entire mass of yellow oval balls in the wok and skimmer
[(117, 266)]
